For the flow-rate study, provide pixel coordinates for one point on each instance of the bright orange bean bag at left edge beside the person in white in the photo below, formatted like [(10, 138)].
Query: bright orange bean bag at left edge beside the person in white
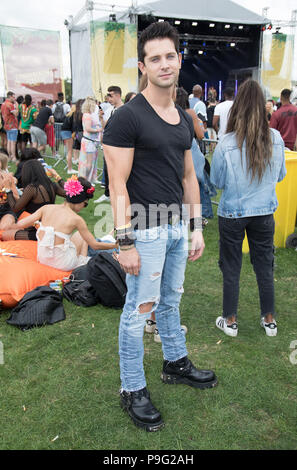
[(20, 272)]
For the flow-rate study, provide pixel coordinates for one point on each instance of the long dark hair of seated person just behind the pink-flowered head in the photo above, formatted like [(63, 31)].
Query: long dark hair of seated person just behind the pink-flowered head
[(33, 174)]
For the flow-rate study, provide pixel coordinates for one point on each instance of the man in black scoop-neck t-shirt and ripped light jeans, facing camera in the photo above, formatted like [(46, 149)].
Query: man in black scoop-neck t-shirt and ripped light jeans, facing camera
[(147, 146)]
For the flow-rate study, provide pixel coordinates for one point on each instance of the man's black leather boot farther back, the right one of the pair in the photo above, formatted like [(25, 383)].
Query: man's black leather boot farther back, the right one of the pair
[(184, 372)]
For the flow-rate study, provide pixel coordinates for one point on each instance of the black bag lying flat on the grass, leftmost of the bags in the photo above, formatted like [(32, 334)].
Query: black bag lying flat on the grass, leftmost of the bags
[(41, 306)]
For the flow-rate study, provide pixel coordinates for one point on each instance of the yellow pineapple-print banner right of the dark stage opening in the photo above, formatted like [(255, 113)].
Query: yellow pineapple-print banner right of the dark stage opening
[(277, 63)]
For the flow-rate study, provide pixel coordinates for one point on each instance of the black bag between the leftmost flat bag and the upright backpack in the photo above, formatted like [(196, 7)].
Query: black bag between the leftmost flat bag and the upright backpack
[(78, 290)]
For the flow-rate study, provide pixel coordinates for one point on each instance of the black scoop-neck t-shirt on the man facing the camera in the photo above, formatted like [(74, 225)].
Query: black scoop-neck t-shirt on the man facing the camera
[(158, 166)]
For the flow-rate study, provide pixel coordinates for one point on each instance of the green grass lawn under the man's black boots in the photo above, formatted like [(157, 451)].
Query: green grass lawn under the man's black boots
[(63, 380)]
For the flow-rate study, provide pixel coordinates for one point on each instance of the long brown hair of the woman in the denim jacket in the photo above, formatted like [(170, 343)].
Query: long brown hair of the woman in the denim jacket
[(249, 122)]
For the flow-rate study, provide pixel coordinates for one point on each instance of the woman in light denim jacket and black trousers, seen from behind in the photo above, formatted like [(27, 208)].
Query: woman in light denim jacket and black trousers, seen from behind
[(247, 164)]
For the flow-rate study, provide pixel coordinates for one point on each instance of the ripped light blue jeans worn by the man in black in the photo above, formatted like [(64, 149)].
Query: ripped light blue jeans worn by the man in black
[(163, 253)]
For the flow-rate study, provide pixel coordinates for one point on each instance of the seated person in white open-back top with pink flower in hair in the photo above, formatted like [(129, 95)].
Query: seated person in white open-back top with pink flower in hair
[(57, 245)]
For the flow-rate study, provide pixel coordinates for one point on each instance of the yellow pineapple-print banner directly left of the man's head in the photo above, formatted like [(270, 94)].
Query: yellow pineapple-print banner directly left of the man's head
[(114, 57)]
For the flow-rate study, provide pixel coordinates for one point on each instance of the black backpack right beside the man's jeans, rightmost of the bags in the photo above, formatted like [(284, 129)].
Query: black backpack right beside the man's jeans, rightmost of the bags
[(108, 280)]
